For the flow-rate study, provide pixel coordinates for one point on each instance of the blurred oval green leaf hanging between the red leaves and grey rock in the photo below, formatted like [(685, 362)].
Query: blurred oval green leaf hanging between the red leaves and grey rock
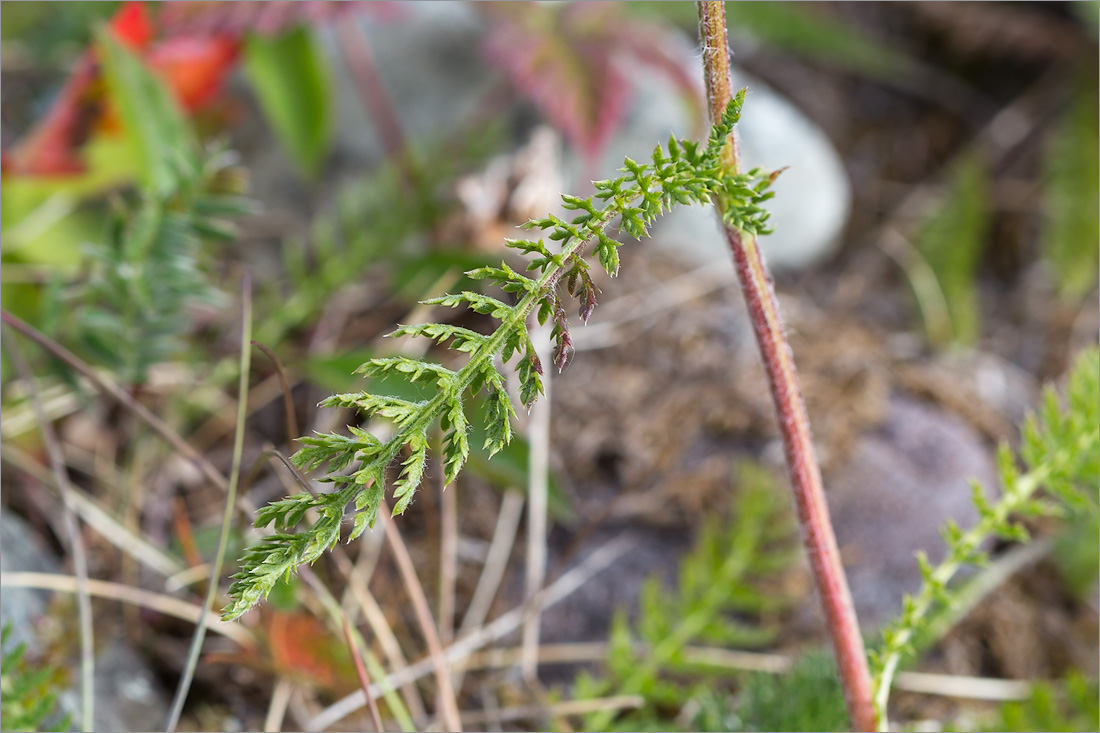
[(293, 83)]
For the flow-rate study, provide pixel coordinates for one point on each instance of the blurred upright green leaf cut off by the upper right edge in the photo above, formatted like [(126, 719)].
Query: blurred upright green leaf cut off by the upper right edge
[(1071, 194)]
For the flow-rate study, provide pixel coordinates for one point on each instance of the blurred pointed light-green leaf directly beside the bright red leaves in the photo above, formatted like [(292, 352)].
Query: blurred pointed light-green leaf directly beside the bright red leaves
[(156, 123)]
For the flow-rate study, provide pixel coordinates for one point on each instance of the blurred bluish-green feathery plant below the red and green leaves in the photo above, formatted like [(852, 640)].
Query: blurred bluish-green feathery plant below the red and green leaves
[(133, 311)]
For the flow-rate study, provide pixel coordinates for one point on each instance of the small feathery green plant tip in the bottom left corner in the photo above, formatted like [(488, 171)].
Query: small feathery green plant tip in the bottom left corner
[(28, 696)]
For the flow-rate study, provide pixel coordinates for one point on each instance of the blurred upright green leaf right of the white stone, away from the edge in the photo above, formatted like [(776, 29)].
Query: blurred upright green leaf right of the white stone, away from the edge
[(951, 242)]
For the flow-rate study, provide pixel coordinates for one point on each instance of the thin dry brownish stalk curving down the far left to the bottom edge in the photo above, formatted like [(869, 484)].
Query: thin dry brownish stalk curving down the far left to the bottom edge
[(73, 532)]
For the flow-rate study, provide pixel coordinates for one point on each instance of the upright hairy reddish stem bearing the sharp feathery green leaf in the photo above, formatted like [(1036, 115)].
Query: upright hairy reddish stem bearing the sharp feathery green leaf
[(791, 413)]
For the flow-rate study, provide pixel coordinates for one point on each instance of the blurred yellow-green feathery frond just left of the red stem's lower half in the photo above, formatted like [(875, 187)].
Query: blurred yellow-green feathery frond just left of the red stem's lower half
[(719, 578)]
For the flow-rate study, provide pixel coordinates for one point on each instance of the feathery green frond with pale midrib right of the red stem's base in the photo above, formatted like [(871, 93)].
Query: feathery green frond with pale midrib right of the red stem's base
[(1061, 451)]
